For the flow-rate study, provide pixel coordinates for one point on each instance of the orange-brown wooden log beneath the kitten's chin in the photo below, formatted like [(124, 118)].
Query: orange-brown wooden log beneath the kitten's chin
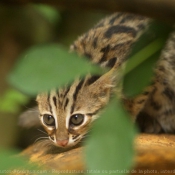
[(155, 155)]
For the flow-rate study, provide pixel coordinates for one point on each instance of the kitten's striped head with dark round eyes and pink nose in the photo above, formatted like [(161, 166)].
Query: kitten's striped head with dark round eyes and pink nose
[(66, 114)]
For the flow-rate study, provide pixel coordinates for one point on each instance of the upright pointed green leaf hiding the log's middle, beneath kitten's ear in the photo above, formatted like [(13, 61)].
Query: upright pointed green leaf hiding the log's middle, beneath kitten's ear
[(110, 147)]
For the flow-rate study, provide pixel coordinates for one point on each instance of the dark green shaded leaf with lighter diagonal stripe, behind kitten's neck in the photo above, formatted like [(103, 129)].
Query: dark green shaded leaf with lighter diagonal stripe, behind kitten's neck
[(141, 62)]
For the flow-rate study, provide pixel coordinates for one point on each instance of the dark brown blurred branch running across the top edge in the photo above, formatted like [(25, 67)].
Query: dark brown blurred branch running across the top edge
[(162, 9)]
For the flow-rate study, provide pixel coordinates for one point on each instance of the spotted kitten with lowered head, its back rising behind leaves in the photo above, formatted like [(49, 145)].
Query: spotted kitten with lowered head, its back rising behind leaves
[(68, 113)]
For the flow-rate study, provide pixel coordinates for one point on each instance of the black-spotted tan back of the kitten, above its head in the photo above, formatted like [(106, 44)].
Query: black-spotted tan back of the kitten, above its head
[(110, 41)]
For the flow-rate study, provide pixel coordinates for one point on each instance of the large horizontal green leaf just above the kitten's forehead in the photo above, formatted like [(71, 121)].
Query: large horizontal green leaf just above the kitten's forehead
[(42, 68)]
